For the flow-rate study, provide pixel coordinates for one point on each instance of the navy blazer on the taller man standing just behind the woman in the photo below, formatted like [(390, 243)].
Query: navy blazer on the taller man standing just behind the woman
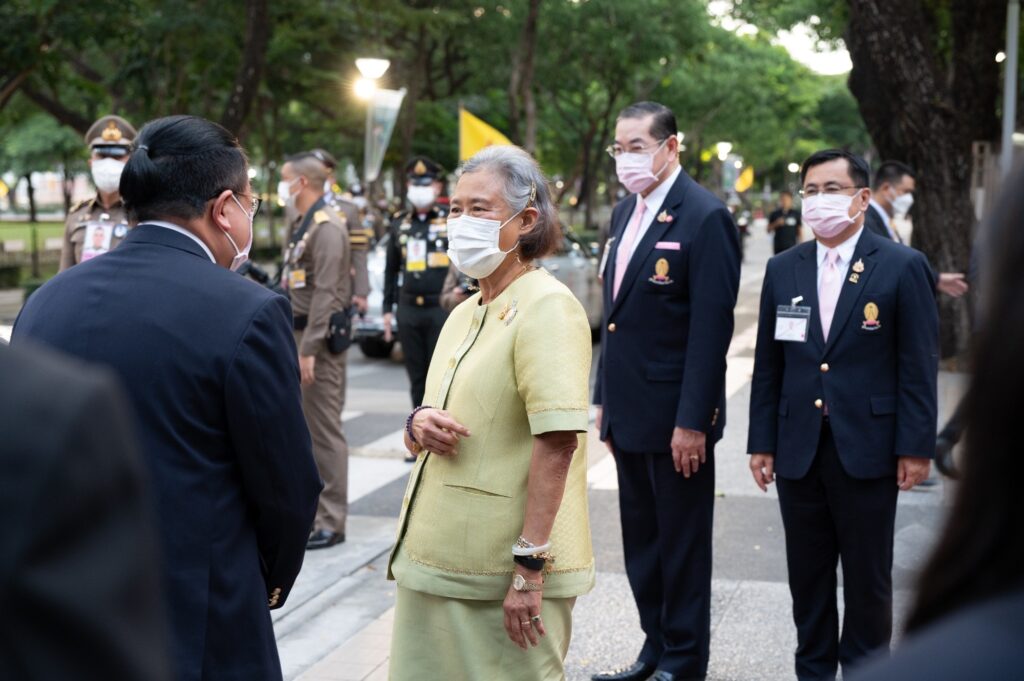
[(664, 365)]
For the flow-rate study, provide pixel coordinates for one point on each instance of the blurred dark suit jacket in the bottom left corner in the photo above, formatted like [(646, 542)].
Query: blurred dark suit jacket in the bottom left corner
[(79, 580)]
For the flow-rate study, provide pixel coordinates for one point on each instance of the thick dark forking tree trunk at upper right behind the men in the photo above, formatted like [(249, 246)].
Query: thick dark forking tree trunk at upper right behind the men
[(926, 109)]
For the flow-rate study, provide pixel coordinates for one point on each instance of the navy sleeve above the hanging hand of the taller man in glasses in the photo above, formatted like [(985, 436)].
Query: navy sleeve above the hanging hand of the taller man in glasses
[(714, 284)]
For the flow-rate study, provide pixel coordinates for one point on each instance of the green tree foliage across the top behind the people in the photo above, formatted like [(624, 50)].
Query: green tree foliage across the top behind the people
[(146, 59)]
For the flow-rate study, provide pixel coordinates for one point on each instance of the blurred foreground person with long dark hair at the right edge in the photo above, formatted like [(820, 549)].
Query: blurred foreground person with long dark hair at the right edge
[(968, 619)]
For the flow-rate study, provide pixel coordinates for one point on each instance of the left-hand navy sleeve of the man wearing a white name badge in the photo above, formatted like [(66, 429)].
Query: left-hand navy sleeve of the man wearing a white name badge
[(770, 366)]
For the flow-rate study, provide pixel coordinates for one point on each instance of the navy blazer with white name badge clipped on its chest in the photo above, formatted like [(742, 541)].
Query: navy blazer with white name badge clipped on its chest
[(879, 382)]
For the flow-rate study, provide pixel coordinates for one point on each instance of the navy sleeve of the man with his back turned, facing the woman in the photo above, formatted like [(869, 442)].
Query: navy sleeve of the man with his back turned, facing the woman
[(272, 443)]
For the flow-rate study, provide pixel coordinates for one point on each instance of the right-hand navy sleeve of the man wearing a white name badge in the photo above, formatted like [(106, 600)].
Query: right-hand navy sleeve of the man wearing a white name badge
[(918, 345)]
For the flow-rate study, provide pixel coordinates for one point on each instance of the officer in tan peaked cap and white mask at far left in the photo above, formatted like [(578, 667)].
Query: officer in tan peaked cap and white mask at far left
[(98, 225)]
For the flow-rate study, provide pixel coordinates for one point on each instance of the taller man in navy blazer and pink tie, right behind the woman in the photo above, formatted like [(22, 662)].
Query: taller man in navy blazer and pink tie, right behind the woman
[(671, 277)]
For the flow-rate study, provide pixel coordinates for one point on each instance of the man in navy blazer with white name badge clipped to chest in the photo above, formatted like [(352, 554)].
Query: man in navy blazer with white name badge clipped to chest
[(843, 410)]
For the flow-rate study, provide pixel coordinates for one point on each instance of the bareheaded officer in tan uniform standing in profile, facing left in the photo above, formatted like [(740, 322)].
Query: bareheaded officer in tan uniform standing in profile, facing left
[(319, 278)]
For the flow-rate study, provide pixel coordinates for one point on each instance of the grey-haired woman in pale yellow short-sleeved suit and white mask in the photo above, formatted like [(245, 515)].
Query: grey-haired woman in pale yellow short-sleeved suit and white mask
[(494, 540)]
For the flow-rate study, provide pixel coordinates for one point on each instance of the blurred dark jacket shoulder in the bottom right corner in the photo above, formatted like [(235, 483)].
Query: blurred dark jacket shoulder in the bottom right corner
[(982, 644)]
